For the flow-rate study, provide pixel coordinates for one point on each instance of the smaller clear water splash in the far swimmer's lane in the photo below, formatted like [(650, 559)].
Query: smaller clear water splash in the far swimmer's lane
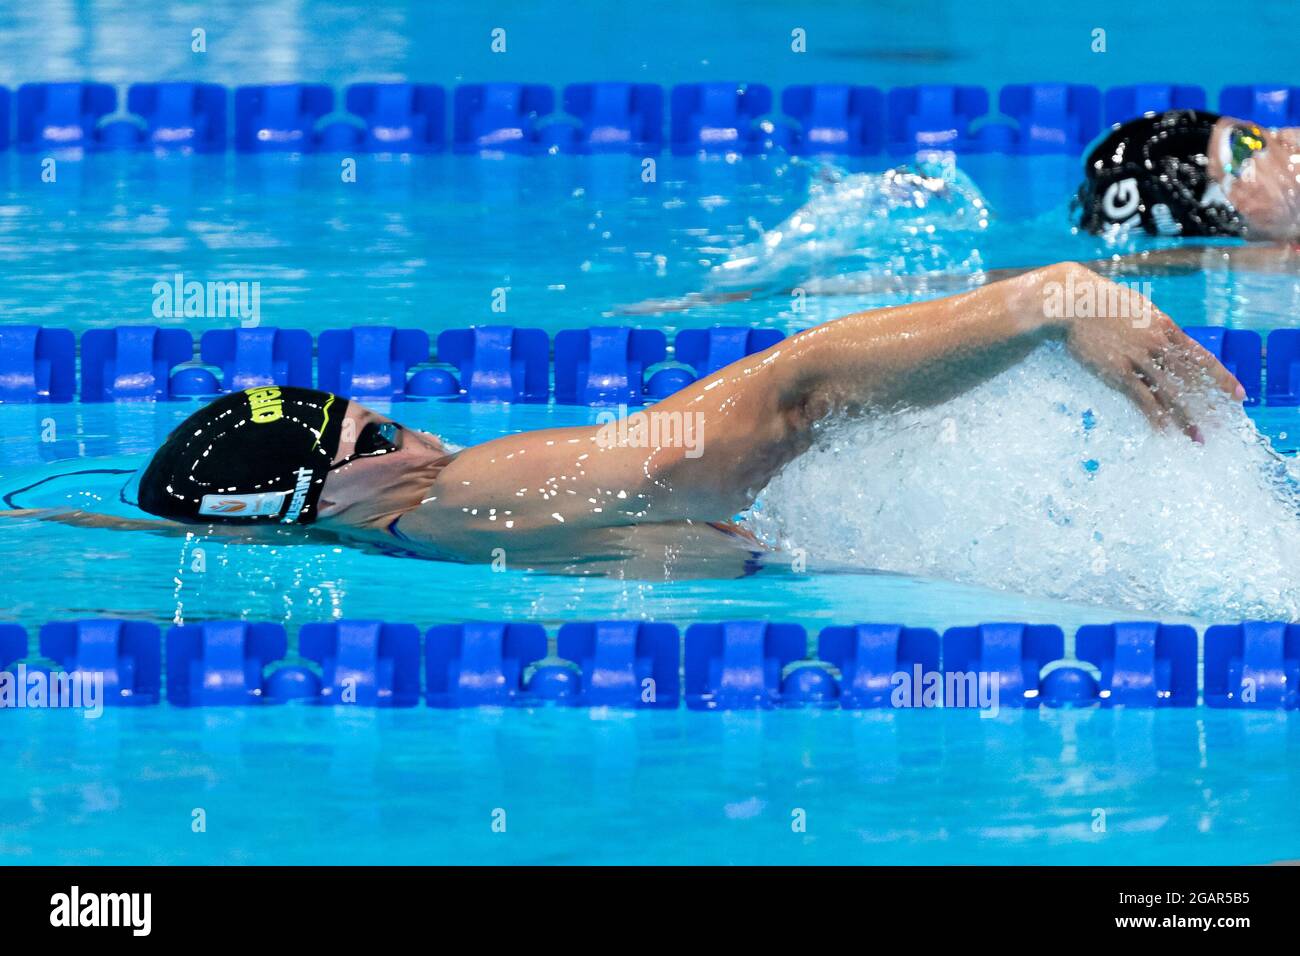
[(902, 222)]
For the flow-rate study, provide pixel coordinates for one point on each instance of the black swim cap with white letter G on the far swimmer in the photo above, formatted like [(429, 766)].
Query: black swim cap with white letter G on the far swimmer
[(1155, 171)]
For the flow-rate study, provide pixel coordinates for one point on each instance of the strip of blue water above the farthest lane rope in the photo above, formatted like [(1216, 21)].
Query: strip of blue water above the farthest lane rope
[(885, 44)]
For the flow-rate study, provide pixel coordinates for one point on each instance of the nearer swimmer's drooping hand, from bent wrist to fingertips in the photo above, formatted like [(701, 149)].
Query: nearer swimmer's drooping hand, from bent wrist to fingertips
[(1136, 348)]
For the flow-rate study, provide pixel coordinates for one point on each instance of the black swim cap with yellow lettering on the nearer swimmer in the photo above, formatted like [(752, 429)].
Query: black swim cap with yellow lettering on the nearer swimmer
[(257, 456)]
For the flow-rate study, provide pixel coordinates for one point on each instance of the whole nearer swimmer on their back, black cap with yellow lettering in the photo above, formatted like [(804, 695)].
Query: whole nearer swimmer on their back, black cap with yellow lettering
[(306, 462)]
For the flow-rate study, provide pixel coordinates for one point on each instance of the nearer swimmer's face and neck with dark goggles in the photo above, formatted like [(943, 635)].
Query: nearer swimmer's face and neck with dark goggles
[(372, 490)]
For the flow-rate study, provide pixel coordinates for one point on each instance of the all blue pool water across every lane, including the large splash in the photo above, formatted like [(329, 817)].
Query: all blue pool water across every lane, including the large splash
[(1185, 534)]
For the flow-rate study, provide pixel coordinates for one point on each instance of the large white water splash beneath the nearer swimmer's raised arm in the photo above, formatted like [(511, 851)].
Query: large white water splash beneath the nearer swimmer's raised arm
[(1045, 482)]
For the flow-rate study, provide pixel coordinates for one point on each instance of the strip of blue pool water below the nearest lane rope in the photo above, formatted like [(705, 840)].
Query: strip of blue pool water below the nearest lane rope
[(588, 788)]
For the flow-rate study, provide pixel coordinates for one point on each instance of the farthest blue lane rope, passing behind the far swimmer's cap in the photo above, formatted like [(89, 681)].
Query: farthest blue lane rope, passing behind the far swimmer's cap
[(530, 119)]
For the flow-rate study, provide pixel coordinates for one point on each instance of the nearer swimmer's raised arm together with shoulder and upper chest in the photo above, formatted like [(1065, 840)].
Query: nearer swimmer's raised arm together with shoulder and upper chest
[(756, 416)]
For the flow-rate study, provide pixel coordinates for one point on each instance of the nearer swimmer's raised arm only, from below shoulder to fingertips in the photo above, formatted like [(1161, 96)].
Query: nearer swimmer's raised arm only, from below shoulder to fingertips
[(761, 412)]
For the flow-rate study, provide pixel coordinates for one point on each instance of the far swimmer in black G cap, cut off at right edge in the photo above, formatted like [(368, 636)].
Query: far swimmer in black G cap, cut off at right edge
[(1177, 175)]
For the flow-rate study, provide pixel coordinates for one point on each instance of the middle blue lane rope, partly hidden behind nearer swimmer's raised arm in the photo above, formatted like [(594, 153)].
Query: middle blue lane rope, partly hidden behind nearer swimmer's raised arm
[(597, 366)]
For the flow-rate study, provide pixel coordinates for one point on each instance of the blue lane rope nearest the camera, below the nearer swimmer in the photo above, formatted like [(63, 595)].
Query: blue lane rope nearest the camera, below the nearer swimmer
[(735, 665)]
